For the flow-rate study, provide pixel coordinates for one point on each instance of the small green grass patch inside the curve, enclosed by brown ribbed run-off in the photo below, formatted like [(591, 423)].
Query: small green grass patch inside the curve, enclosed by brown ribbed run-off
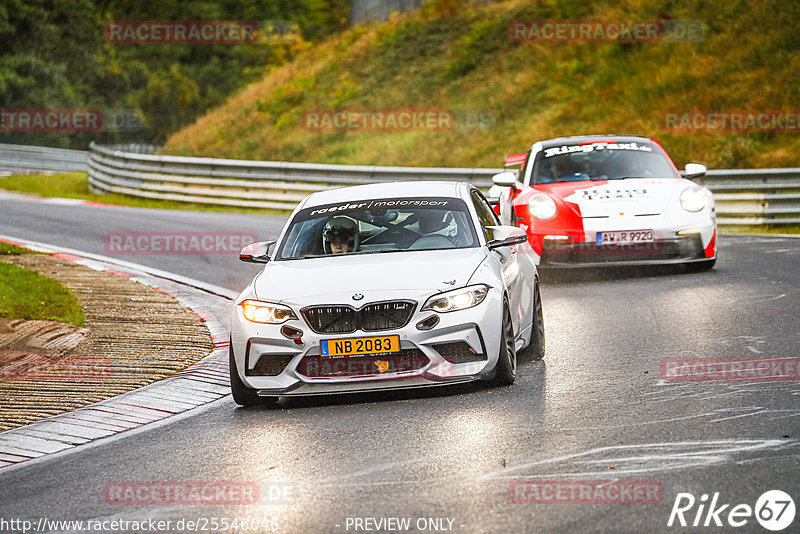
[(25, 294)]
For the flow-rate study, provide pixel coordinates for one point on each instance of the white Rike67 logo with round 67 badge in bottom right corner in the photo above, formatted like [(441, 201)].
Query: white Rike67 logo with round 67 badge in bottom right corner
[(774, 510)]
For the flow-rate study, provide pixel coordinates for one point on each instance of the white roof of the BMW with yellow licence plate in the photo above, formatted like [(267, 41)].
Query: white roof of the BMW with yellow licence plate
[(386, 190)]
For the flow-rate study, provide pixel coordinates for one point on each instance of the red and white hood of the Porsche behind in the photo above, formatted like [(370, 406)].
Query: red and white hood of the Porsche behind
[(637, 196)]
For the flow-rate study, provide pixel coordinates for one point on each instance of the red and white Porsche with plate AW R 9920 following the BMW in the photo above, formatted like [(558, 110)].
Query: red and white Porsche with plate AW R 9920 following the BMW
[(608, 200)]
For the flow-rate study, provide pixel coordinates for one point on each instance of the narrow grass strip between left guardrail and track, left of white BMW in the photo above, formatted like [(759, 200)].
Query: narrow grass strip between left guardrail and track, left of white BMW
[(76, 185)]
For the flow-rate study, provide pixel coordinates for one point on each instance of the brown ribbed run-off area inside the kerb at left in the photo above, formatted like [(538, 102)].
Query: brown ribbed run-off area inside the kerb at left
[(134, 335)]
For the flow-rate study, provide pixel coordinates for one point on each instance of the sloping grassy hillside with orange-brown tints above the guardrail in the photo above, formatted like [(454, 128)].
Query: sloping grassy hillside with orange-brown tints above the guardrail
[(457, 56)]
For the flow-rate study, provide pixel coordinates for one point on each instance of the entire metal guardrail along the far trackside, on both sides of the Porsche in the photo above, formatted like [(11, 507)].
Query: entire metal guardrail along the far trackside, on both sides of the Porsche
[(750, 197)]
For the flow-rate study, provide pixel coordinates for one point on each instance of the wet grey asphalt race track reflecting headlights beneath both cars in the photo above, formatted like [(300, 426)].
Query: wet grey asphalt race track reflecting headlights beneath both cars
[(595, 409)]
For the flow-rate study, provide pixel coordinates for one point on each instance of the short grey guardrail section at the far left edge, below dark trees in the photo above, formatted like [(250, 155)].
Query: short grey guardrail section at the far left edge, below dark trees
[(16, 159)]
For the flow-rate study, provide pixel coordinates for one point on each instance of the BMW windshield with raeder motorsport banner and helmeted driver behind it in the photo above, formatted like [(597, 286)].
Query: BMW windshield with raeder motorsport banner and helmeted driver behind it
[(379, 226)]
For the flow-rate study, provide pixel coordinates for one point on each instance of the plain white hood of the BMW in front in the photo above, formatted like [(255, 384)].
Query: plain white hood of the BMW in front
[(335, 278)]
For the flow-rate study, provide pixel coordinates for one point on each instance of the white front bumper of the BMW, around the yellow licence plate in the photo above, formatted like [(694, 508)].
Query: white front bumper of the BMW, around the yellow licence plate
[(462, 347)]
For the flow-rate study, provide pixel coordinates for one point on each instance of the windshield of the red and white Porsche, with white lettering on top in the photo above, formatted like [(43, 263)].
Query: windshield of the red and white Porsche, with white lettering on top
[(600, 161)]
